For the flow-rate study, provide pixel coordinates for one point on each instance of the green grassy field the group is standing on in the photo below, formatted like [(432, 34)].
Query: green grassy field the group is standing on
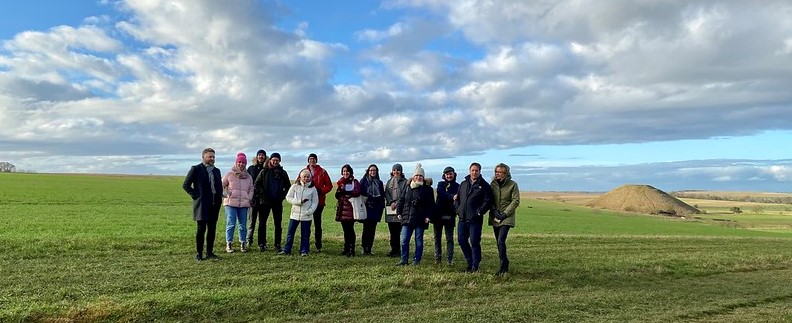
[(120, 248)]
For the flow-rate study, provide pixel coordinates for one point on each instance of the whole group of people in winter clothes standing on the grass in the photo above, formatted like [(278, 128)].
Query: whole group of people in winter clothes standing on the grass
[(410, 205)]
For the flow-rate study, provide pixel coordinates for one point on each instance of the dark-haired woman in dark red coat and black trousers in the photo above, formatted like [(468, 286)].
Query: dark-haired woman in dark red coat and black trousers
[(347, 187)]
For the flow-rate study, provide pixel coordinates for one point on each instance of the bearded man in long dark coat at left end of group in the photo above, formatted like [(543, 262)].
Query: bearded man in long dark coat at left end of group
[(204, 184)]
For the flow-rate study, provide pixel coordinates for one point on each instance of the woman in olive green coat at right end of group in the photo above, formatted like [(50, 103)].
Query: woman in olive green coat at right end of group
[(506, 198)]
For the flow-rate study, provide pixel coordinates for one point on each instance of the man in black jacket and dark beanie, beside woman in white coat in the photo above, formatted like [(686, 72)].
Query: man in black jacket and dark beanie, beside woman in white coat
[(271, 187)]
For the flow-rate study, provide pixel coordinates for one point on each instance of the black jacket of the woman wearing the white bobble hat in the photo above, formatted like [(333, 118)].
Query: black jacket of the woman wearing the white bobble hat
[(416, 205)]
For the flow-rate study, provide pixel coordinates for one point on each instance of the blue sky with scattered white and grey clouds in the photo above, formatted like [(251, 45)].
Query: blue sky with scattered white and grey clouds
[(572, 95)]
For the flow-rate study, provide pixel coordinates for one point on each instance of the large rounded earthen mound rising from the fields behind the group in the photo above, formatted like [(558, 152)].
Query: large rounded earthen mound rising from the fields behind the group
[(642, 199)]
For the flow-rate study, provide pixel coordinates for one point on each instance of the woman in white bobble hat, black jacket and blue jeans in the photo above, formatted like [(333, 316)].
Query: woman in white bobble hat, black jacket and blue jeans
[(414, 209)]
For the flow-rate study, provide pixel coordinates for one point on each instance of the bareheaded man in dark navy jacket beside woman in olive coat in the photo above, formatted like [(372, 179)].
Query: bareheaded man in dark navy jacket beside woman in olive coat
[(472, 203)]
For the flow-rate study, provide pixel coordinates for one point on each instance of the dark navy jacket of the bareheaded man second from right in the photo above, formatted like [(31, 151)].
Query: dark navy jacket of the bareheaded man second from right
[(473, 200)]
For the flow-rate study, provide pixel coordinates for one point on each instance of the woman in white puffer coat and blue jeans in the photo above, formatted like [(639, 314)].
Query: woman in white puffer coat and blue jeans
[(304, 199)]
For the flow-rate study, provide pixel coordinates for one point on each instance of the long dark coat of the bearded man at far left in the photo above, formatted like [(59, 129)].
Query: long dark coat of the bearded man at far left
[(206, 206)]
